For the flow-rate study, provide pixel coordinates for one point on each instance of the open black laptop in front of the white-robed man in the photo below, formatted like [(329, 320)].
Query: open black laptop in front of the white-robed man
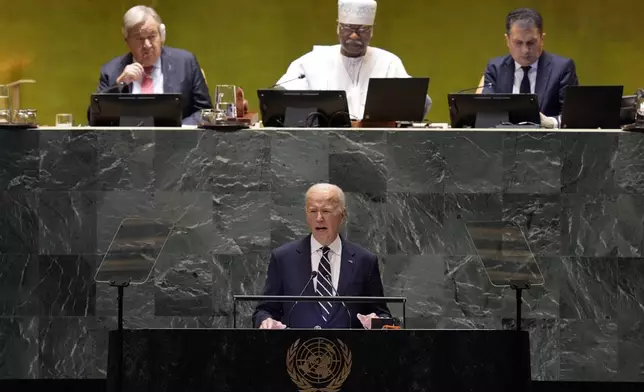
[(396, 99)]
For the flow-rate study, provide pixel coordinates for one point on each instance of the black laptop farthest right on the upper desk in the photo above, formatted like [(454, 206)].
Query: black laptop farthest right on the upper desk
[(592, 107)]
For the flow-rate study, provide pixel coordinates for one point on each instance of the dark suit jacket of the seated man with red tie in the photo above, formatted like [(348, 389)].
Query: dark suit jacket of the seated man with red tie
[(181, 74)]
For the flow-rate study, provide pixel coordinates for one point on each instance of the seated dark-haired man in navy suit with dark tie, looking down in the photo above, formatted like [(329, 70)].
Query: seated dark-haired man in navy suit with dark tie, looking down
[(529, 69)]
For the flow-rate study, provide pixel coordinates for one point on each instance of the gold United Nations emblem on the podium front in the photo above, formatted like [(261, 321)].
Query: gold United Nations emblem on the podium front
[(318, 364)]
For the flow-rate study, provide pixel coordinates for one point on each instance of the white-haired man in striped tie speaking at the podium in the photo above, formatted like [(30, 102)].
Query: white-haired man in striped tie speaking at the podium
[(343, 268)]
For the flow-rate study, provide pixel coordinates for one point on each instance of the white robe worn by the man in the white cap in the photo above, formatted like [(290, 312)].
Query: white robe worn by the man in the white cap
[(325, 68)]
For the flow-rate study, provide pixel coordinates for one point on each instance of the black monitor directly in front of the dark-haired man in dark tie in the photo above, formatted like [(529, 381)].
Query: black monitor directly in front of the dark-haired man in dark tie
[(493, 110)]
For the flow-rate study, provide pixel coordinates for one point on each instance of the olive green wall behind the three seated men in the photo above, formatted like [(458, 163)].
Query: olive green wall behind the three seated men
[(62, 43)]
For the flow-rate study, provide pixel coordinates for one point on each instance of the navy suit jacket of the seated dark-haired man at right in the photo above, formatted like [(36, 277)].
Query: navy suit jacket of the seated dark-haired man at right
[(554, 74)]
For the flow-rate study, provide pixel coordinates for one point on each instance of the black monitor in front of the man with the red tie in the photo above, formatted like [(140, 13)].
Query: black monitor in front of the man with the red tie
[(132, 110)]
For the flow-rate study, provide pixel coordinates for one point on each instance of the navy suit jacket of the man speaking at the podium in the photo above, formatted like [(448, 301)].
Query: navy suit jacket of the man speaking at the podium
[(289, 271)]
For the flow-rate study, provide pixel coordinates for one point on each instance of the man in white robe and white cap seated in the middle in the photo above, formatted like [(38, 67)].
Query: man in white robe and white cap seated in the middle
[(349, 65)]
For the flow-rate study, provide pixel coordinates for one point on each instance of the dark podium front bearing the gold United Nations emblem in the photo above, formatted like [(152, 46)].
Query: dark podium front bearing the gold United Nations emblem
[(245, 360)]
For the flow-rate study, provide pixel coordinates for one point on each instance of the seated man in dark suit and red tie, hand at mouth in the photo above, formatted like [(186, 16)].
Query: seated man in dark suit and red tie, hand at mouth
[(152, 68)]
